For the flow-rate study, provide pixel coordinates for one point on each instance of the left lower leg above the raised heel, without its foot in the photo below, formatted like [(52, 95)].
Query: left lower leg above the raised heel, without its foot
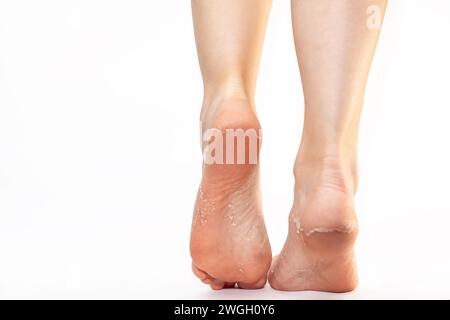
[(229, 37)]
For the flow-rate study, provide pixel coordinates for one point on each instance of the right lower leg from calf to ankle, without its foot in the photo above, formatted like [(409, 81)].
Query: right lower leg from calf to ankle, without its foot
[(334, 63)]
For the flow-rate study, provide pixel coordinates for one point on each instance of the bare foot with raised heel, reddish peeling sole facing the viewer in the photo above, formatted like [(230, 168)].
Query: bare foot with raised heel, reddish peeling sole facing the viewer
[(229, 243)]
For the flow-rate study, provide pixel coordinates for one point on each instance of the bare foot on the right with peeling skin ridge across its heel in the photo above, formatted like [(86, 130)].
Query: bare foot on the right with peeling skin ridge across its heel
[(318, 253)]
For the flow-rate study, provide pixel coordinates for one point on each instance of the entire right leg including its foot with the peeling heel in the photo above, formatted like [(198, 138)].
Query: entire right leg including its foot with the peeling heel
[(335, 46)]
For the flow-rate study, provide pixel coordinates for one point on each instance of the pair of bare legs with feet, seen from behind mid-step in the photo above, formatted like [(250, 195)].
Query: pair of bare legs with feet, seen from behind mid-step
[(335, 46)]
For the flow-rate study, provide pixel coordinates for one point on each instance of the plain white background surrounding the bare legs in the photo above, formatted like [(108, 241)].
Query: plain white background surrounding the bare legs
[(100, 162)]
